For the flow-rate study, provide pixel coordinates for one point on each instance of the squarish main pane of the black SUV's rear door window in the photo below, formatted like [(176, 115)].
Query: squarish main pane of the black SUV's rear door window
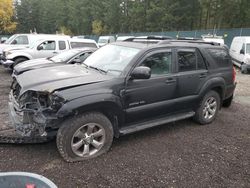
[(186, 61)]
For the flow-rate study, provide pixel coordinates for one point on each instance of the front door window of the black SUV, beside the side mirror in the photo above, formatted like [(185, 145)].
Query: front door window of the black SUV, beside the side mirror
[(159, 63)]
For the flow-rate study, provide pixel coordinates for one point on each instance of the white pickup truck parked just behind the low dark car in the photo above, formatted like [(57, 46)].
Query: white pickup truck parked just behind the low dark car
[(43, 49)]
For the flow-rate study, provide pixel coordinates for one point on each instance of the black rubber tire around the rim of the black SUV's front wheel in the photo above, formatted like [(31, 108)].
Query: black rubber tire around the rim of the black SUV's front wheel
[(66, 135)]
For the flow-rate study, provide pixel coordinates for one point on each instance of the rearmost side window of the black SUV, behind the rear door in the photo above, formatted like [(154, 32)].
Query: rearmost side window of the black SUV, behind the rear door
[(220, 56)]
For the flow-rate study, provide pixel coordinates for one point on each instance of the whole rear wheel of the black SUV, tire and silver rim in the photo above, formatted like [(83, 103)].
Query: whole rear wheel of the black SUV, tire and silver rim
[(208, 109)]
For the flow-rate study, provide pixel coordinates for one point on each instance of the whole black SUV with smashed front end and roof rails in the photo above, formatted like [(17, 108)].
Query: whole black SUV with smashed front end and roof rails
[(120, 89)]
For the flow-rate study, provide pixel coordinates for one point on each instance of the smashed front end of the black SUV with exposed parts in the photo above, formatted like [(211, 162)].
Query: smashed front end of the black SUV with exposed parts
[(34, 113)]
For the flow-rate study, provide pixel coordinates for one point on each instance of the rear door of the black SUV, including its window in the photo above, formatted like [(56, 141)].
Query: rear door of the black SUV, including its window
[(192, 74)]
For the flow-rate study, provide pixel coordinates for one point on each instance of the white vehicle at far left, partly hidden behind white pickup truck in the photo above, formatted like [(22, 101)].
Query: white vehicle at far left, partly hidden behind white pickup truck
[(22, 41)]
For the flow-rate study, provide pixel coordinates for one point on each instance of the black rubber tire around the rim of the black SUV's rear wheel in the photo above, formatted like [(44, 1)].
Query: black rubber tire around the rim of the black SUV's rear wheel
[(199, 114)]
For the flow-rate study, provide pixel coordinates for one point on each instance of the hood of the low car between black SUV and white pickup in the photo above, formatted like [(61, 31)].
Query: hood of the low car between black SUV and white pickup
[(32, 64)]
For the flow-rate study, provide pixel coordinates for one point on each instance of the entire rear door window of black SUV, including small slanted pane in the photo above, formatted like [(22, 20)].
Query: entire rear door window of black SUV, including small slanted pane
[(190, 60)]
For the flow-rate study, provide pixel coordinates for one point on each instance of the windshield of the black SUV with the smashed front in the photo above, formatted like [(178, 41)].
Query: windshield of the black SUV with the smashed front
[(112, 58)]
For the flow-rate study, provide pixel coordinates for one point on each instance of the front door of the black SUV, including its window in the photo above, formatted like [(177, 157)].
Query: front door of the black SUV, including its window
[(145, 99)]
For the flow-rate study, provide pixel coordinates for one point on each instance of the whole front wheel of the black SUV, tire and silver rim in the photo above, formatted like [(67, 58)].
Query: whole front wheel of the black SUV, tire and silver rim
[(84, 137)]
